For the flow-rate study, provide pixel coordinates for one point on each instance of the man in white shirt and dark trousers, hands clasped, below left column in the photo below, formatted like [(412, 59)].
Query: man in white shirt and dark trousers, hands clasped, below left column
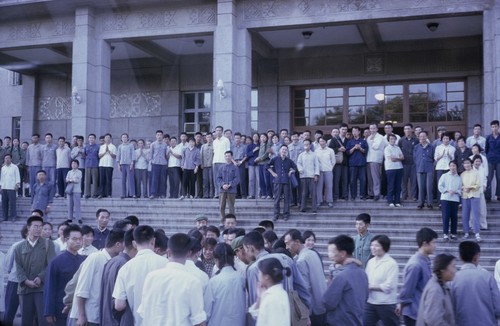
[(107, 155)]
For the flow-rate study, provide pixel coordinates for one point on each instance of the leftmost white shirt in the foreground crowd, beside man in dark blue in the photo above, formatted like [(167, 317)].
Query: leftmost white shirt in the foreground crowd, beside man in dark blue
[(89, 286)]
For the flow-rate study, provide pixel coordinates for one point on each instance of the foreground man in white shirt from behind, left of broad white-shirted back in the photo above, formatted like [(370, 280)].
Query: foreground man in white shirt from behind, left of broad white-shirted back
[(130, 280)]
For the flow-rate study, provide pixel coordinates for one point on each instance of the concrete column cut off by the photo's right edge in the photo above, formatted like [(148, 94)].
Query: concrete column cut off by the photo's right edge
[(491, 64)]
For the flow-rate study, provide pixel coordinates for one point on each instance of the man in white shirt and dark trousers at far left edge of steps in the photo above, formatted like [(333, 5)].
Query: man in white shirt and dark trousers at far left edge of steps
[(10, 182)]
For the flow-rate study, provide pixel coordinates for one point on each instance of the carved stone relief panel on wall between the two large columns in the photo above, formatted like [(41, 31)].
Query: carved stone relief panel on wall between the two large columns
[(146, 104)]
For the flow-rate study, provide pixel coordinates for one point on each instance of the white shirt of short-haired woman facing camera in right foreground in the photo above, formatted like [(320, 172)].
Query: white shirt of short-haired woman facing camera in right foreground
[(383, 272)]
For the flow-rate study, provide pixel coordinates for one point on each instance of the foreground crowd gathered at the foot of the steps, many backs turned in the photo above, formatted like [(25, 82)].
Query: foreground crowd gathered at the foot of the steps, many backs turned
[(131, 274)]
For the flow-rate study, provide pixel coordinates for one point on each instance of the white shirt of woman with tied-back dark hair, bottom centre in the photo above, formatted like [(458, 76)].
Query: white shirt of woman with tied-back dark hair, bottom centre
[(274, 308)]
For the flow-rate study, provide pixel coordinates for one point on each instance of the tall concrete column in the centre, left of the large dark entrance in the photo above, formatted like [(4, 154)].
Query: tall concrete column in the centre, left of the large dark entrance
[(232, 65)]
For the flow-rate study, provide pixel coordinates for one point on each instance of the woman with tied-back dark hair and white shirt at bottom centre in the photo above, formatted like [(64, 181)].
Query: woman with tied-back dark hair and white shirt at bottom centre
[(272, 306)]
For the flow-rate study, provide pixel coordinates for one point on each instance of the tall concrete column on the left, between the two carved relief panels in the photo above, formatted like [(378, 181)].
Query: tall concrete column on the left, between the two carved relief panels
[(91, 76)]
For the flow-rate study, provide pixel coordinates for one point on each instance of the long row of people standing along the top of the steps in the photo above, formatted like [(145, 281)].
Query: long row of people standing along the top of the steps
[(451, 171)]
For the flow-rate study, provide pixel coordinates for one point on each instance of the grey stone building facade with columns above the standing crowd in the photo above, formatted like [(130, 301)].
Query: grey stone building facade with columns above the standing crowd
[(79, 67)]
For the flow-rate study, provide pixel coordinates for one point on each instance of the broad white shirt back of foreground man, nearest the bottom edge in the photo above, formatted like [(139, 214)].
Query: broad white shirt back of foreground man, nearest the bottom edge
[(172, 296)]
